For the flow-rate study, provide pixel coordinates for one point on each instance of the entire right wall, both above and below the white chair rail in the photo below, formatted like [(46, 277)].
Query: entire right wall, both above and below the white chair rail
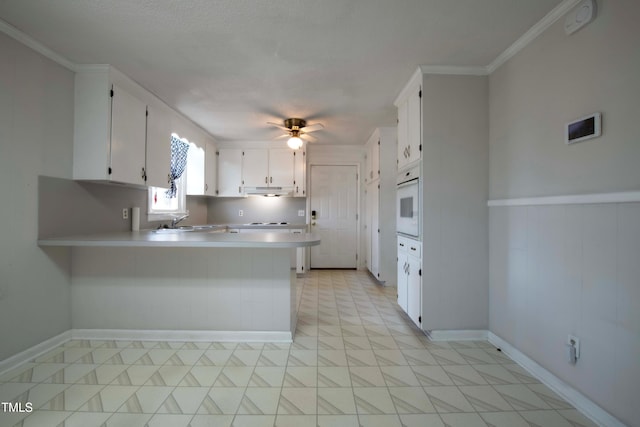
[(563, 269)]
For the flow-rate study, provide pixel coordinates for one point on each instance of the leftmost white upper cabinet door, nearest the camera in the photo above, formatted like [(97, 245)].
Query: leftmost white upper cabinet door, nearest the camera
[(128, 137)]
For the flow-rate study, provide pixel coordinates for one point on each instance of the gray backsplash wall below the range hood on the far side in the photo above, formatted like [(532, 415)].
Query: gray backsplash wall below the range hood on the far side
[(224, 210)]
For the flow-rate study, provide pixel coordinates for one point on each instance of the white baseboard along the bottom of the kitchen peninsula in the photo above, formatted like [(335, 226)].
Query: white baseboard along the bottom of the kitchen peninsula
[(170, 335)]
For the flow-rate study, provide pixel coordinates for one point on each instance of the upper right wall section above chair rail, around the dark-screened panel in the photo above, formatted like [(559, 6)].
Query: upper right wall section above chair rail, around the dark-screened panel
[(555, 80)]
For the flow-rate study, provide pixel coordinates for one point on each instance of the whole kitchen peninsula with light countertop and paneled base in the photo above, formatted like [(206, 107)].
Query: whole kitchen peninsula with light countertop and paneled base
[(192, 285)]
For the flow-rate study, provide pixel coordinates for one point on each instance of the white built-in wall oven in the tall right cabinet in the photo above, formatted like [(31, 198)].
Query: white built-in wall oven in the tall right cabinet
[(408, 203)]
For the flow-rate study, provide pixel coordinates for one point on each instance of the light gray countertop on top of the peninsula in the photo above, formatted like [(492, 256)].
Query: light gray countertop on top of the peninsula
[(188, 239)]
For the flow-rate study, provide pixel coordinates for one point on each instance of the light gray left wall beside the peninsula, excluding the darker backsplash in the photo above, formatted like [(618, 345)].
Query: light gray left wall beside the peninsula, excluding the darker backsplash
[(36, 138)]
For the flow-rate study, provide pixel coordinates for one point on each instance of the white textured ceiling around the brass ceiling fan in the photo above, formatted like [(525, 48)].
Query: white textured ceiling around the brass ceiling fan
[(233, 65)]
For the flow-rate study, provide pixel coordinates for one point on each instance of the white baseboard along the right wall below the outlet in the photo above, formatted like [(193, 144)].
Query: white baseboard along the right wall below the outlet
[(582, 403)]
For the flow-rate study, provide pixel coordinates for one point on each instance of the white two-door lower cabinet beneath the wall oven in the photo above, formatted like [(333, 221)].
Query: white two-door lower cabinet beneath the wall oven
[(410, 278)]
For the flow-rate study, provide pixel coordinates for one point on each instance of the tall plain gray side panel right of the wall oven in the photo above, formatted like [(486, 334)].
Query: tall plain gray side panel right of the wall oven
[(455, 216)]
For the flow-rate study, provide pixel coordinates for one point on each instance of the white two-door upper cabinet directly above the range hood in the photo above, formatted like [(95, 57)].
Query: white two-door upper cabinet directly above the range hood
[(267, 167)]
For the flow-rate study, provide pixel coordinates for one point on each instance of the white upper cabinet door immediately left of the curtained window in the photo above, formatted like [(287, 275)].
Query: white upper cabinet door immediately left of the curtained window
[(158, 159)]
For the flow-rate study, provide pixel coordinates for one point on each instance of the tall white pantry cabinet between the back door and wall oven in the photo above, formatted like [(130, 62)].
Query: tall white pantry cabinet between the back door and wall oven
[(380, 224)]
